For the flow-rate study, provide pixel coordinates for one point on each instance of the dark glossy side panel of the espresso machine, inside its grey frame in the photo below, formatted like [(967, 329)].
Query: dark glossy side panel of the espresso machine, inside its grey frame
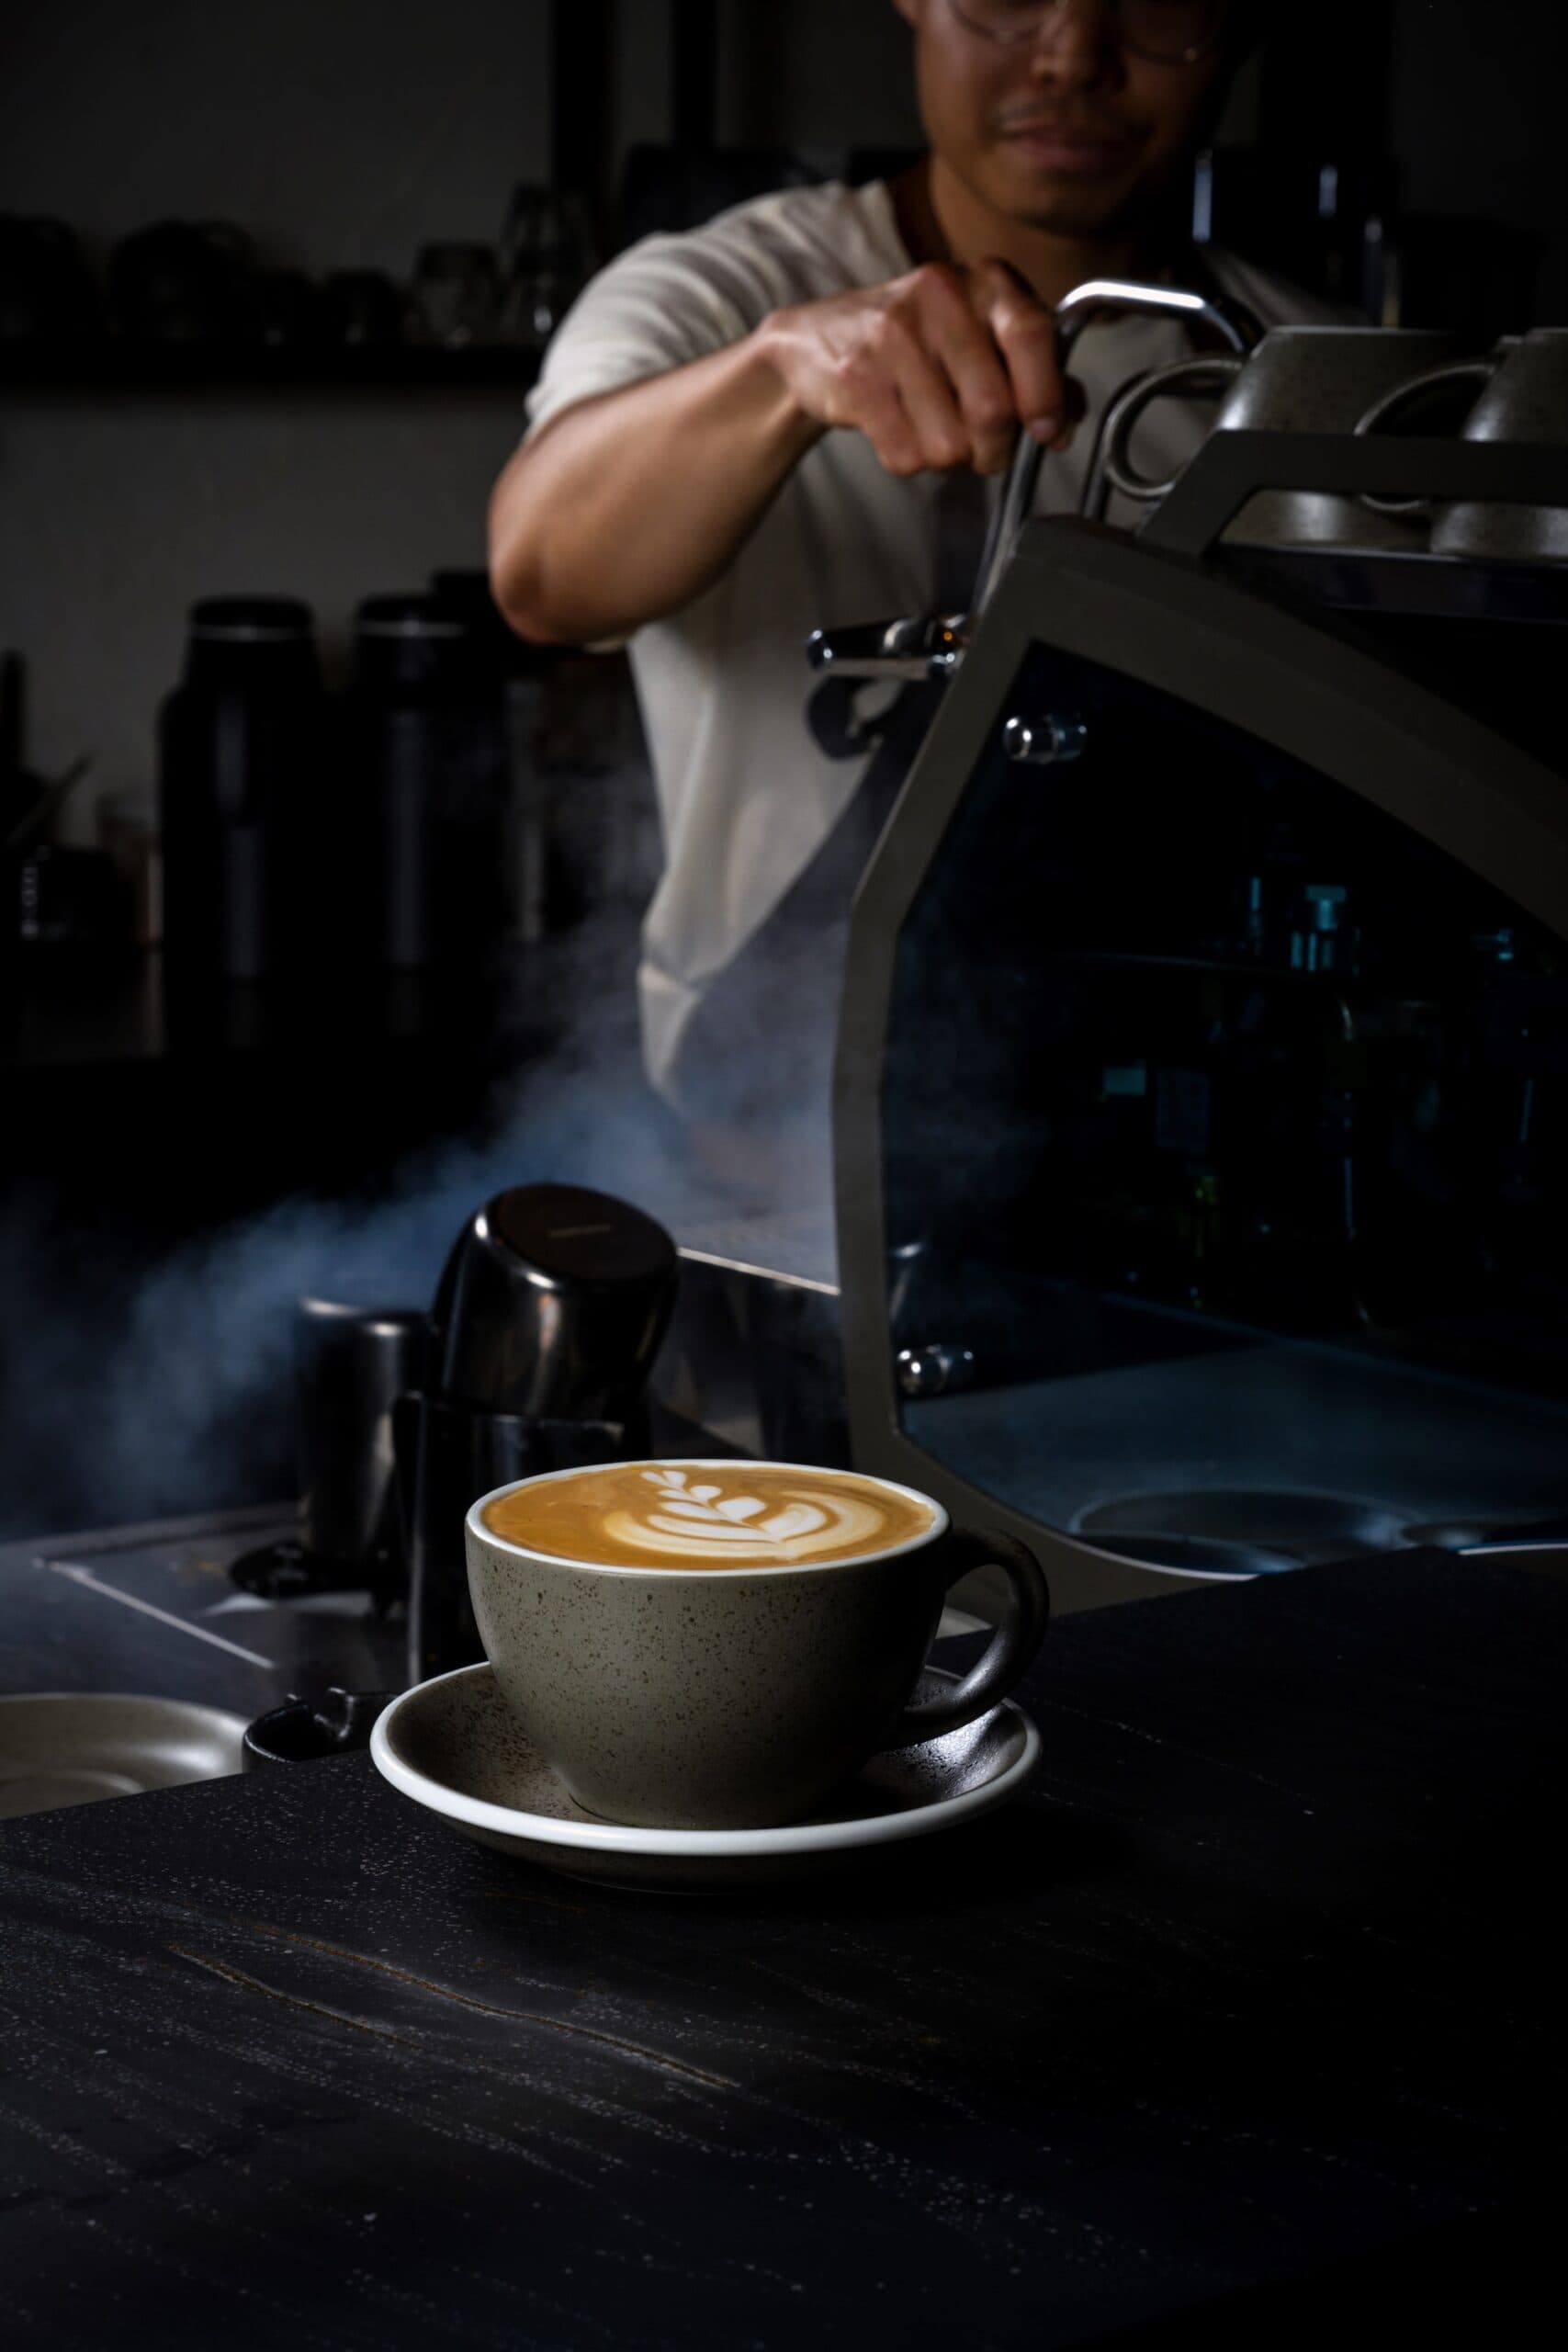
[(1226, 1154)]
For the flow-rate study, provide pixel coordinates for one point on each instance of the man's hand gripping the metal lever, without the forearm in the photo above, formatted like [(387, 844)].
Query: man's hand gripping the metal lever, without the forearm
[(939, 368)]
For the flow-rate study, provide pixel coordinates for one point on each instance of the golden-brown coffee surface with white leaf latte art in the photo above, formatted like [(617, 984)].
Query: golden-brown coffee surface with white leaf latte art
[(695, 1516)]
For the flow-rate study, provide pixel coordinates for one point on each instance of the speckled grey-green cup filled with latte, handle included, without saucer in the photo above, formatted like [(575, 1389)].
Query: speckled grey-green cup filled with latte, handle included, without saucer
[(721, 1697)]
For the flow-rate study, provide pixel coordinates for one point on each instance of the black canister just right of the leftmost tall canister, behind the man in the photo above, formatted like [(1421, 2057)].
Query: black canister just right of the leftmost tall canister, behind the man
[(431, 784)]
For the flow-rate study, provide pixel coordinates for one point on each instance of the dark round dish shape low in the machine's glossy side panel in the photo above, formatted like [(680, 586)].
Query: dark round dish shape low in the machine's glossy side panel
[(1240, 1530)]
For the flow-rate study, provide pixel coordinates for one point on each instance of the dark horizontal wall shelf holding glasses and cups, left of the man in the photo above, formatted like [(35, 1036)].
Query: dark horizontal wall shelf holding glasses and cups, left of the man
[(236, 370)]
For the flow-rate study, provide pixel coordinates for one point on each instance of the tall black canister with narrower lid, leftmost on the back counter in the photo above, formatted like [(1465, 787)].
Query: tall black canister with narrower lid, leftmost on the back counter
[(243, 756)]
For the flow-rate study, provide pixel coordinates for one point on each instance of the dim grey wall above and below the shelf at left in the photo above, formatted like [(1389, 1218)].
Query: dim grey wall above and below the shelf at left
[(342, 138)]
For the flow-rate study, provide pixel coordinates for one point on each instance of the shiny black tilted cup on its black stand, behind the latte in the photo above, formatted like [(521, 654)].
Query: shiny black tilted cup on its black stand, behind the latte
[(544, 1328)]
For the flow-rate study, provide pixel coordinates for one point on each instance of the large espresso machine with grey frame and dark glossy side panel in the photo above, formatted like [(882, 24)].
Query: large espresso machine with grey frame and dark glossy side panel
[(1202, 1074)]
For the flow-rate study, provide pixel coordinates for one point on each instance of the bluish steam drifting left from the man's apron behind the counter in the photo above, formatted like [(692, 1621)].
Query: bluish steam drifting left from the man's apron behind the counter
[(189, 1403)]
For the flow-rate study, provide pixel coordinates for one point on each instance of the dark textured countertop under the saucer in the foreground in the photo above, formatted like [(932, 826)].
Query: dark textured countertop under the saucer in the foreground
[(1245, 2012)]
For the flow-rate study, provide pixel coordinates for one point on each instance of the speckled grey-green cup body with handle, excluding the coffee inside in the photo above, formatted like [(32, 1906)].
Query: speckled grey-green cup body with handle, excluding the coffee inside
[(735, 1699)]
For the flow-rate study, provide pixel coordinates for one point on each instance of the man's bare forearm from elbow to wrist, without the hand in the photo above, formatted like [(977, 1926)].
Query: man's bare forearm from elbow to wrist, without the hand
[(631, 505)]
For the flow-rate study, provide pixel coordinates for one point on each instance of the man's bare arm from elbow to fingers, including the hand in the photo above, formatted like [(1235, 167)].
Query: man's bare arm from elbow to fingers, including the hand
[(631, 505)]
